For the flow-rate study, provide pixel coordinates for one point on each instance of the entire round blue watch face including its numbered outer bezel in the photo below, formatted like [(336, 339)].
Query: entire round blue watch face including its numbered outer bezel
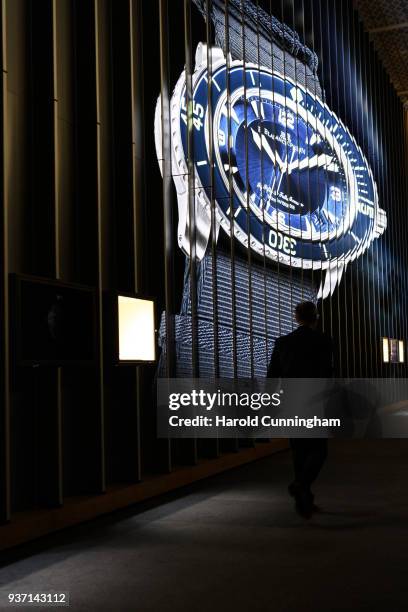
[(288, 179)]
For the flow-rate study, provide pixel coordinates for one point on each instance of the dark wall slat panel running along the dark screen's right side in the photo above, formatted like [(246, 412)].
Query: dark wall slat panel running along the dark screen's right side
[(83, 396)]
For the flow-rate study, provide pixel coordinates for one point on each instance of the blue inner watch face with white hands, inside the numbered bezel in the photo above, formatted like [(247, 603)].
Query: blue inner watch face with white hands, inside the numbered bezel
[(283, 165)]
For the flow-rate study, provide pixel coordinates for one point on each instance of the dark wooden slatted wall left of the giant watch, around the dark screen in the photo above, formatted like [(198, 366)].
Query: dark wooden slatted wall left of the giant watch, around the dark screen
[(74, 208)]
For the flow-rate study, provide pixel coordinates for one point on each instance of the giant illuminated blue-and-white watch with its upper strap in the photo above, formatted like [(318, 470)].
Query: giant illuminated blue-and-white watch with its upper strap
[(287, 178)]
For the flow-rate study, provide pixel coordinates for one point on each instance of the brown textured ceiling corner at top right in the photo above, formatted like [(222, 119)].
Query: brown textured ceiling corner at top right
[(387, 23)]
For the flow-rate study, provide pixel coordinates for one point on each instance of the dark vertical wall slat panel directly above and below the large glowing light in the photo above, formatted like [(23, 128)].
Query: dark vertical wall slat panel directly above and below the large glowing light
[(122, 384)]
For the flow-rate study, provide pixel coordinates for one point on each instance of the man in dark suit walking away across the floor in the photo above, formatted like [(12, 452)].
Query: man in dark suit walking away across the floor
[(304, 353)]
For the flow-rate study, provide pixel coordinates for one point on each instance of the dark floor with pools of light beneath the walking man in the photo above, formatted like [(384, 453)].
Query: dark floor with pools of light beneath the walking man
[(234, 543)]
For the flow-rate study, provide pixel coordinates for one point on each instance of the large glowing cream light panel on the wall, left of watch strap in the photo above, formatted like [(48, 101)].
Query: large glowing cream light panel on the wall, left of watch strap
[(136, 329)]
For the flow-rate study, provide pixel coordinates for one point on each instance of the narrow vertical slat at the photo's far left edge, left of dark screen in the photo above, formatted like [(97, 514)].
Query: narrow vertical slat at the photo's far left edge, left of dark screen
[(5, 505)]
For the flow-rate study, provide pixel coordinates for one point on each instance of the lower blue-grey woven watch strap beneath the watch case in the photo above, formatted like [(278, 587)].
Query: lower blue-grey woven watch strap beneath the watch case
[(249, 316)]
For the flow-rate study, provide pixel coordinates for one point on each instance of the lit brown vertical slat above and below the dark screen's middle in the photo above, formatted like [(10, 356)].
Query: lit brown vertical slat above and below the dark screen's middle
[(63, 202)]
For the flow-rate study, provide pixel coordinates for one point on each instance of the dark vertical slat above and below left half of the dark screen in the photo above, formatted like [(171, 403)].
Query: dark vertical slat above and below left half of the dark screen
[(43, 208)]
